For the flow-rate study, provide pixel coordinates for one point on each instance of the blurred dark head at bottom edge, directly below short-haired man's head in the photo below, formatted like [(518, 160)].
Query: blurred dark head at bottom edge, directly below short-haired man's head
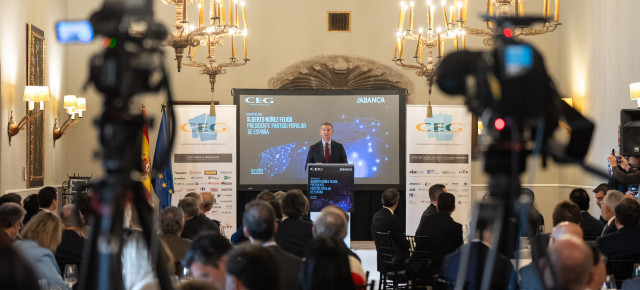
[(250, 267)]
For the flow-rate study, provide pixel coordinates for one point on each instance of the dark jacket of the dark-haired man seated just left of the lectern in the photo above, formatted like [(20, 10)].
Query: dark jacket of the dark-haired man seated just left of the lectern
[(293, 236)]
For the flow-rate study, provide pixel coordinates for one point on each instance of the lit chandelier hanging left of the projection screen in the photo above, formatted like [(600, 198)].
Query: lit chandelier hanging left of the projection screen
[(223, 24)]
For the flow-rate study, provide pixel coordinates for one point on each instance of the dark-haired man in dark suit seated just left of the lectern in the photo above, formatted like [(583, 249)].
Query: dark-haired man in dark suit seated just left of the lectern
[(294, 233)]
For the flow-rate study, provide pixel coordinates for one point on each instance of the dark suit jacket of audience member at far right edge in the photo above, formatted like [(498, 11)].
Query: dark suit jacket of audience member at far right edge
[(622, 244)]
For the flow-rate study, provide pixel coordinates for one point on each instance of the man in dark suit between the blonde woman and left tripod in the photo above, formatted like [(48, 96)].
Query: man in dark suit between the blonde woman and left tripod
[(70, 249)]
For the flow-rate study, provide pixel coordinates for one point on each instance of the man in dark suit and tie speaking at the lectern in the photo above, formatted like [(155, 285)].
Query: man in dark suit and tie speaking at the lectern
[(326, 150)]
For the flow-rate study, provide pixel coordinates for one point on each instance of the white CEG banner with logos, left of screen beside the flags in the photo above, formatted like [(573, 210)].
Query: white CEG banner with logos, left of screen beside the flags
[(204, 159)]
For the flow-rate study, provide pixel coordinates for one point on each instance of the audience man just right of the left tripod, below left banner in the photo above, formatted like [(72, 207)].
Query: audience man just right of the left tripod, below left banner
[(171, 225)]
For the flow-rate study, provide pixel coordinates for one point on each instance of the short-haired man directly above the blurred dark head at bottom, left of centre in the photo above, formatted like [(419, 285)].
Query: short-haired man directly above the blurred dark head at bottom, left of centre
[(260, 226)]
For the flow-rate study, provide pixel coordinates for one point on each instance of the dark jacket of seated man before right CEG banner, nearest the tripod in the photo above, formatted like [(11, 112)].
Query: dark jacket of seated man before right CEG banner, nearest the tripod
[(445, 233)]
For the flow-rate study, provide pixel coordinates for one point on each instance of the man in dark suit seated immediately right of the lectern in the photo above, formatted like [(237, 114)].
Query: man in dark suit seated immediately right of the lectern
[(385, 221)]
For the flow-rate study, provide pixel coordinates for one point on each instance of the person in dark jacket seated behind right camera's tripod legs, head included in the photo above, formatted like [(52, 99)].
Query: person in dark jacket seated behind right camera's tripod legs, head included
[(503, 271)]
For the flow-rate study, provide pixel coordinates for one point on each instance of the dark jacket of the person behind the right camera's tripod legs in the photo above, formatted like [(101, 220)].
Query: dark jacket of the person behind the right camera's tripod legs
[(502, 270)]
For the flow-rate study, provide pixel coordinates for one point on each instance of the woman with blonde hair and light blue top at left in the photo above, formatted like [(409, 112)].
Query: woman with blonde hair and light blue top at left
[(42, 235)]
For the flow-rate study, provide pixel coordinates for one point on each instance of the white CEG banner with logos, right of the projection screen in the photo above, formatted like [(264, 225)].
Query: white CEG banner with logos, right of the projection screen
[(438, 151)]
